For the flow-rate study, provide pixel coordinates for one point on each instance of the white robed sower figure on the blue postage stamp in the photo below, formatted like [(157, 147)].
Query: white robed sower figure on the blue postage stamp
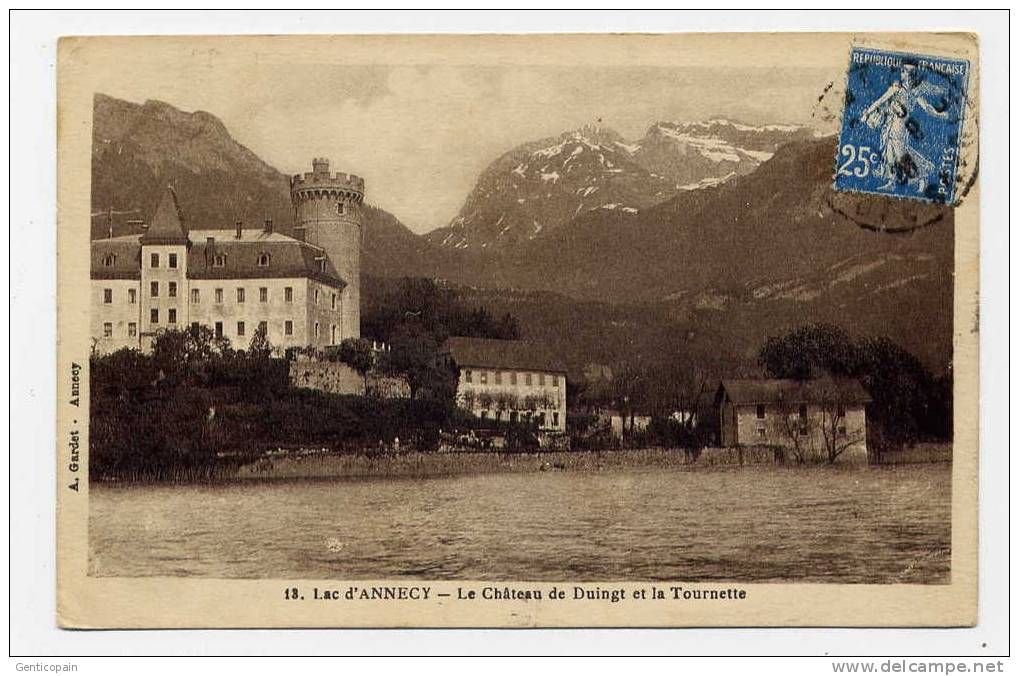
[(895, 112)]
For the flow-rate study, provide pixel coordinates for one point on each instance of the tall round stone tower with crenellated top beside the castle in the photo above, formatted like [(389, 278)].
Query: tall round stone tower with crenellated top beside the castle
[(328, 215)]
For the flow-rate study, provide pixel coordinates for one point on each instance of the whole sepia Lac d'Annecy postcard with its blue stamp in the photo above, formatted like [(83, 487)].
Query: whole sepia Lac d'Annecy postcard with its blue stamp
[(558, 331)]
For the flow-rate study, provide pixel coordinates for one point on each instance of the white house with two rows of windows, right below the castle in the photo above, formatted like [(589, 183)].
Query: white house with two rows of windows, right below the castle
[(509, 381)]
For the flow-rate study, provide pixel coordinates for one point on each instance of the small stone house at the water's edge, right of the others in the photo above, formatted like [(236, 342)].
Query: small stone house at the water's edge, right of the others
[(824, 419)]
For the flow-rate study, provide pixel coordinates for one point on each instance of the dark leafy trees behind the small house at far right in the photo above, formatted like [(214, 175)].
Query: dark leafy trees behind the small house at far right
[(908, 403)]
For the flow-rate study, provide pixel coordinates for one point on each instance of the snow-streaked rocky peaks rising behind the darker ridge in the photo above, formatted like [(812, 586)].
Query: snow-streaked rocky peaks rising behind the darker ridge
[(535, 189)]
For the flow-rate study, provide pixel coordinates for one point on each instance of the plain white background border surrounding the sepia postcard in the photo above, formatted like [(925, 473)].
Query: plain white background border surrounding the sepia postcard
[(33, 295)]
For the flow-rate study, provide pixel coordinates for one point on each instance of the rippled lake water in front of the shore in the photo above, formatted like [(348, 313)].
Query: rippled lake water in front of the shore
[(870, 525)]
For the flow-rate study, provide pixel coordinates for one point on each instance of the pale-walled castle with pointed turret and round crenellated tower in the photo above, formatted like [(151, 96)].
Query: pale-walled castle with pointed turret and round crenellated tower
[(303, 290)]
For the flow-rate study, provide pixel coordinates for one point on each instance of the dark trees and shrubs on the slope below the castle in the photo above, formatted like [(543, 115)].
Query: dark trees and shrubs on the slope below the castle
[(195, 405)]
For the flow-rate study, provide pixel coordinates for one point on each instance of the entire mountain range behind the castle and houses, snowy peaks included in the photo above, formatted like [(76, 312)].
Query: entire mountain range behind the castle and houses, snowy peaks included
[(716, 232)]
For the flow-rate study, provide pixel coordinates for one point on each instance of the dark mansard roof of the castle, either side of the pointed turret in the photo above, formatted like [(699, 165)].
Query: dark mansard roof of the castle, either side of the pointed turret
[(121, 258)]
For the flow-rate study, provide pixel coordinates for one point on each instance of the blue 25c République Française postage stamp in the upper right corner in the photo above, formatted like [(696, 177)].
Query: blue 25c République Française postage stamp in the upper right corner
[(901, 125)]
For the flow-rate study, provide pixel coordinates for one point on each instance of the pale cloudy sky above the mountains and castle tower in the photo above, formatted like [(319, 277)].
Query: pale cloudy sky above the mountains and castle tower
[(421, 134)]
